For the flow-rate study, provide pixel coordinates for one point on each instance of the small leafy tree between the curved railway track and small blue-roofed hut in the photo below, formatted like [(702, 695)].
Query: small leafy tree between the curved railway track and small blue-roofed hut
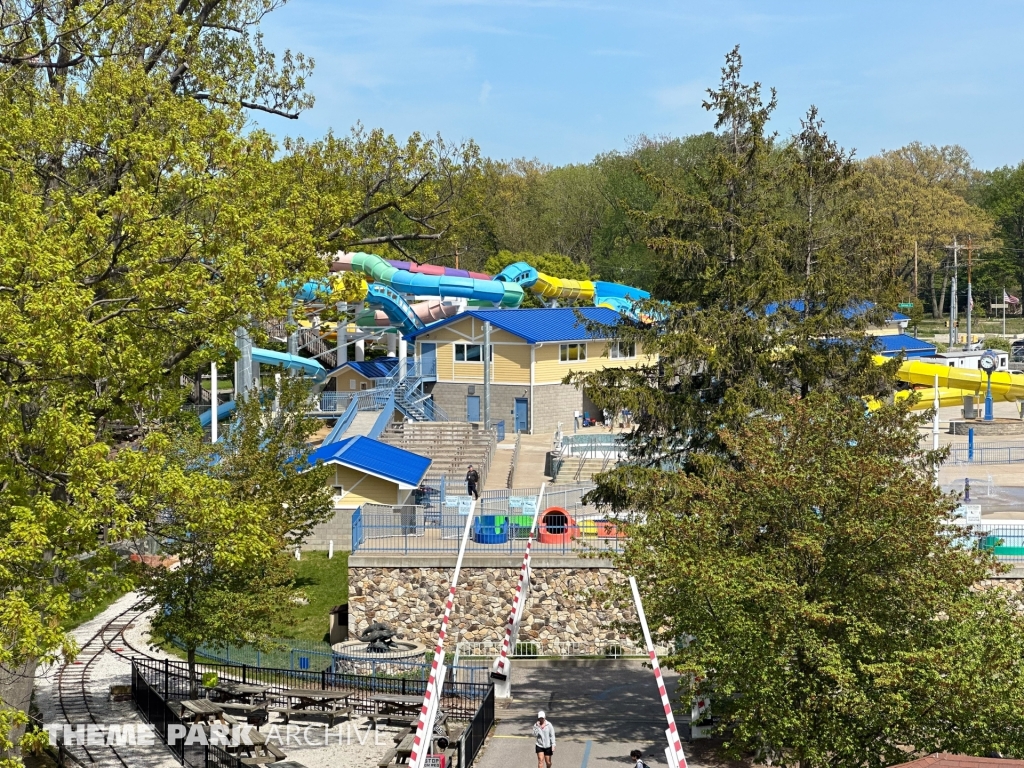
[(231, 514)]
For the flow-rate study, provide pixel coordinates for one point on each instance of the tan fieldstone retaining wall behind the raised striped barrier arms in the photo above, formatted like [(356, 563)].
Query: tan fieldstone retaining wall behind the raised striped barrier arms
[(563, 605)]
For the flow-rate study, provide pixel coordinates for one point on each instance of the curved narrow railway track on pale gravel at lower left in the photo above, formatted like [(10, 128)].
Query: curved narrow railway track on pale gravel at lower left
[(76, 700)]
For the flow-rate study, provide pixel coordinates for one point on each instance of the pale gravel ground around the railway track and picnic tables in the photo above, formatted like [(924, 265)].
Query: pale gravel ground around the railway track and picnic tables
[(349, 745)]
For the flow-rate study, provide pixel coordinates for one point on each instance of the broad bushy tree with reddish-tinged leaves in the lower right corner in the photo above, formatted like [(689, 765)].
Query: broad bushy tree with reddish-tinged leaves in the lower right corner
[(833, 610)]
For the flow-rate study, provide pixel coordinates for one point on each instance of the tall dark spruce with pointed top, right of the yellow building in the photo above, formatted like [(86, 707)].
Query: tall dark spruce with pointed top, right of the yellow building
[(740, 247)]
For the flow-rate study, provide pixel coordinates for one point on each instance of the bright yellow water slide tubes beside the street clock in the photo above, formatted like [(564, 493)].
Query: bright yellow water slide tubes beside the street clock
[(955, 383)]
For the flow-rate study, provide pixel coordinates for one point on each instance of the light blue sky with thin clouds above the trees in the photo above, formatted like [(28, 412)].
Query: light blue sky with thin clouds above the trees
[(565, 80)]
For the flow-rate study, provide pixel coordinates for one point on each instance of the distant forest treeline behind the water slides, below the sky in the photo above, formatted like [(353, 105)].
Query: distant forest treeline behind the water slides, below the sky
[(908, 207)]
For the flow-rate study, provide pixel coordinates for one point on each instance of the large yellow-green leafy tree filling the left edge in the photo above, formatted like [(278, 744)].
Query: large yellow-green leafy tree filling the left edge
[(145, 220)]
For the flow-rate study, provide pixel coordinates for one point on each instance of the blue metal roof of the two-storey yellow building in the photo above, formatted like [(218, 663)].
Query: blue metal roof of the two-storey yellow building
[(558, 324)]
